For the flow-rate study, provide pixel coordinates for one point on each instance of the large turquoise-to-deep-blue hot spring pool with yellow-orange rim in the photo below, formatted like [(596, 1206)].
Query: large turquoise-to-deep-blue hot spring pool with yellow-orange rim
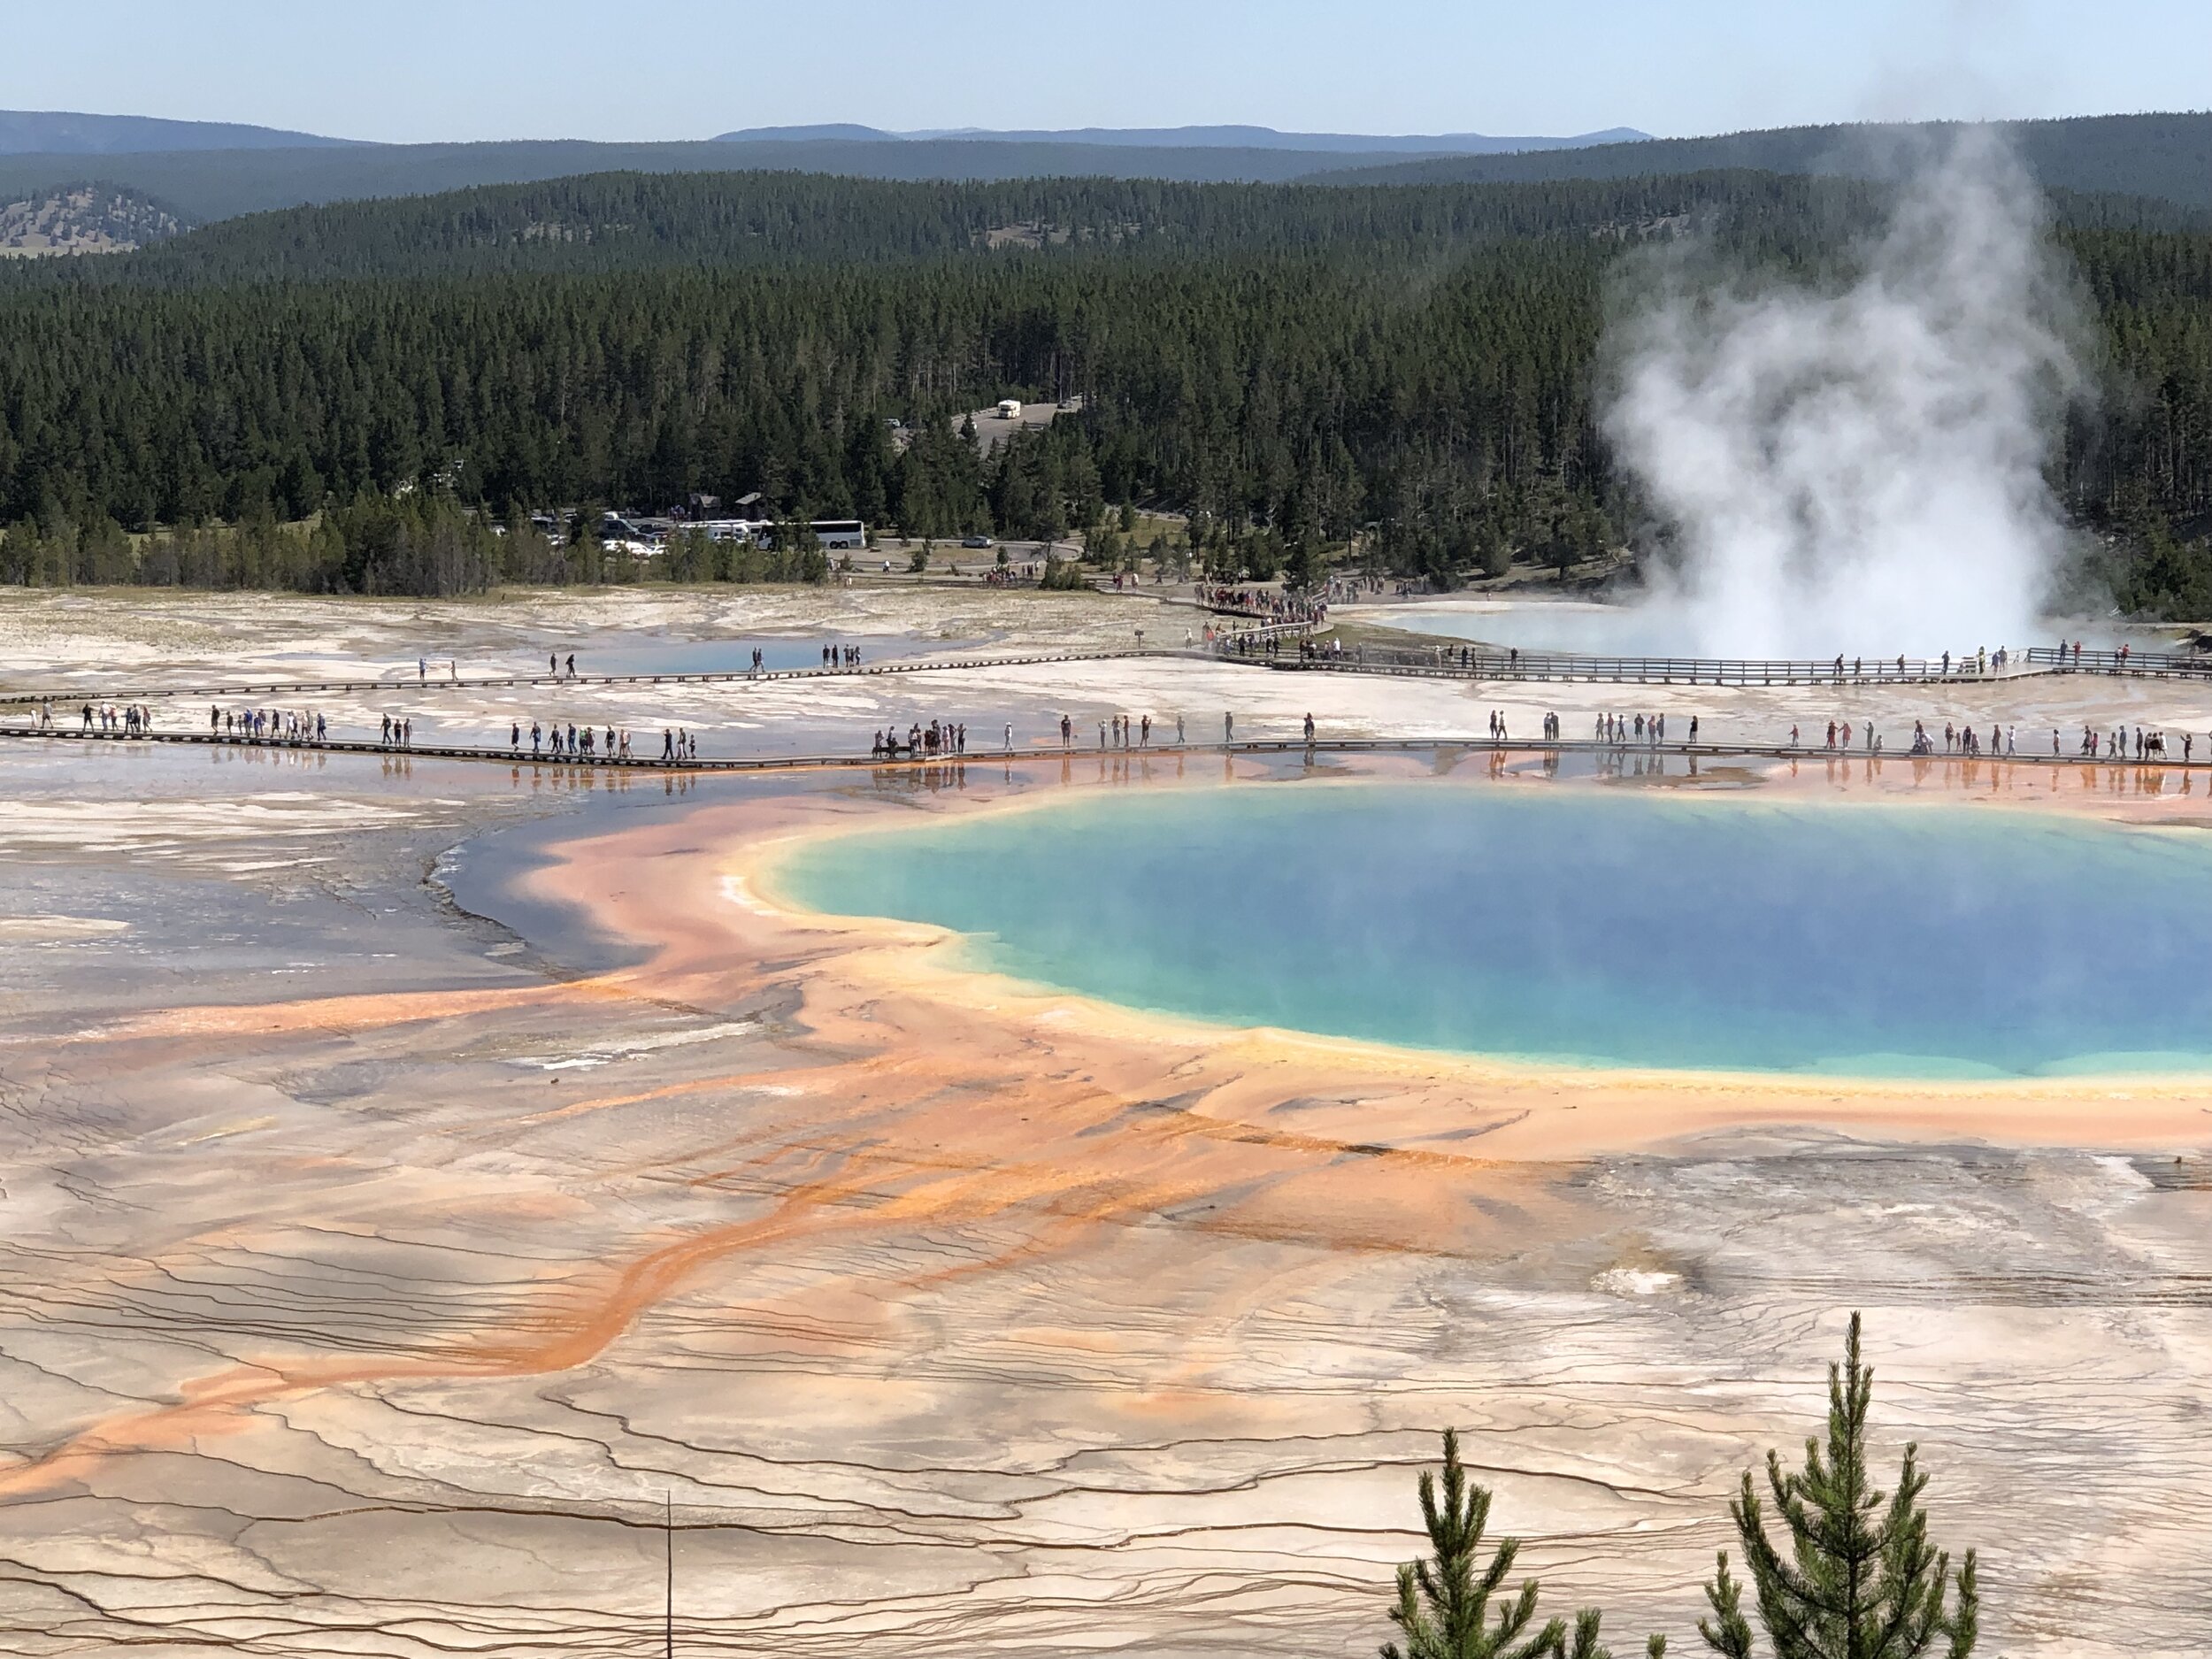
[(1585, 926)]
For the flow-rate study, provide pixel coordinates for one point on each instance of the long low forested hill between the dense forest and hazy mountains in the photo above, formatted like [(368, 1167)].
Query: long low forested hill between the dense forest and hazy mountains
[(649, 220)]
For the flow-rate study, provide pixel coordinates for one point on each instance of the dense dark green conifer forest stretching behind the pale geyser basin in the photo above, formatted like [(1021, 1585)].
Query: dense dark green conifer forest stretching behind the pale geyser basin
[(1324, 375)]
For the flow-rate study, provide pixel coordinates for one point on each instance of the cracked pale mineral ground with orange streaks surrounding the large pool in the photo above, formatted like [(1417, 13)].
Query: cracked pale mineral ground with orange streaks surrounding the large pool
[(421, 1173)]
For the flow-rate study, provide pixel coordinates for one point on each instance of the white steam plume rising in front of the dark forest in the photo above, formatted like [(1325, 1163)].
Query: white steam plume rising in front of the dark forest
[(1861, 470)]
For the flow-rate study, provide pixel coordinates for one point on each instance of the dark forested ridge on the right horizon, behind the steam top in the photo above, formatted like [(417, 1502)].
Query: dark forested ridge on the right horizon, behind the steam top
[(2149, 156)]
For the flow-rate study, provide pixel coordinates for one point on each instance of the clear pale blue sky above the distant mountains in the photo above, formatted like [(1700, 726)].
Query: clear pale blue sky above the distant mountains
[(685, 70)]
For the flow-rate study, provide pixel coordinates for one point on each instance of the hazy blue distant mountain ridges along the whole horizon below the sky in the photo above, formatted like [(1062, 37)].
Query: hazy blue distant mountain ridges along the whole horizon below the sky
[(258, 169)]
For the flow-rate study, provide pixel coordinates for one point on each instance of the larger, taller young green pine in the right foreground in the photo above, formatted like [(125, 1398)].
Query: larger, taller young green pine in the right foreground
[(1861, 1578)]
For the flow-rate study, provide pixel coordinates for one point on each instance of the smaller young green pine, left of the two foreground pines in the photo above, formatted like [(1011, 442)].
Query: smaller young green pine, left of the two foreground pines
[(1443, 1603)]
